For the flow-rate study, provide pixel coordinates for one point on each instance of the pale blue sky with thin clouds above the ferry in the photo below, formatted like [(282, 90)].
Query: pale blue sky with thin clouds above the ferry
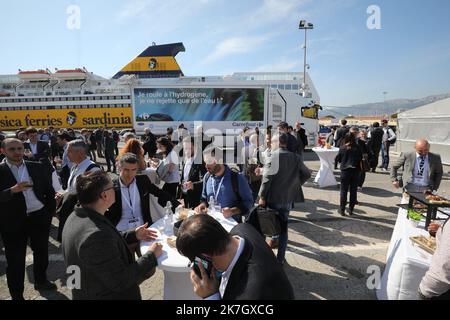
[(409, 57)]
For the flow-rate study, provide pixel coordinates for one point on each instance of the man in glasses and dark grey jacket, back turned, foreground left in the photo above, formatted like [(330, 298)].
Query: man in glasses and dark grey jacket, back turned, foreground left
[(108, 269)]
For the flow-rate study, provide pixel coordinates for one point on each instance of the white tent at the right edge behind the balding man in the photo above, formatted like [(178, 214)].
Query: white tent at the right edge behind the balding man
[(431, 122)]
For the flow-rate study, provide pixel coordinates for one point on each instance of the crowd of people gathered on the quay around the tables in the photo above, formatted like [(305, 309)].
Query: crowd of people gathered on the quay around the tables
[(103, 216)]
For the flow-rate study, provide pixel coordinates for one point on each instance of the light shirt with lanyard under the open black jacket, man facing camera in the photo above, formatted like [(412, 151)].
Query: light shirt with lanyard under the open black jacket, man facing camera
[(131, 207)]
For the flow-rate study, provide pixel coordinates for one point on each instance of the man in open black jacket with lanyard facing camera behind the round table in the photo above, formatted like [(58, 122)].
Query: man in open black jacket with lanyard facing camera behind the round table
[(132, 206)]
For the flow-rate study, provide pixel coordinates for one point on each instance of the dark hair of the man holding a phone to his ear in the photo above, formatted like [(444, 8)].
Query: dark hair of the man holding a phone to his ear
[(201, 234)]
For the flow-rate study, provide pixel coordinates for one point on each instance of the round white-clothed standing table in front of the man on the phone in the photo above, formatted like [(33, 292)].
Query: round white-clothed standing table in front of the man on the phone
[(177, 283)]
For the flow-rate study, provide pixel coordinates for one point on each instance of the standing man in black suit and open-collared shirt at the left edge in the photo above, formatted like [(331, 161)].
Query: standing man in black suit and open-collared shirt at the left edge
[(27, 204)]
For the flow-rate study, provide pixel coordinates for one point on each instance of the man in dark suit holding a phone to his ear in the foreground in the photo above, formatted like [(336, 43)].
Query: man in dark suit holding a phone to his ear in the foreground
[(247, 267)]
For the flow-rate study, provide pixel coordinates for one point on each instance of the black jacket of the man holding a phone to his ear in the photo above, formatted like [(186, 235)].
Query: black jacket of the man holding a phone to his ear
[(256, 275)]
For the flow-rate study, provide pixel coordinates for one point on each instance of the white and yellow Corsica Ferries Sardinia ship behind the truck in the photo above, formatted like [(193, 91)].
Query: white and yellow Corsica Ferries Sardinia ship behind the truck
[(78, 98)]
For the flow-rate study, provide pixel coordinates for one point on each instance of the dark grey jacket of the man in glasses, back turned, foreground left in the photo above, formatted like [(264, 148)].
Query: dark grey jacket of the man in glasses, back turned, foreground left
[(108, 268)]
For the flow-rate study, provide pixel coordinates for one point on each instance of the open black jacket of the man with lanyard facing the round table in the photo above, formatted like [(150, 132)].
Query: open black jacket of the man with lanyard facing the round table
[(145, 188)]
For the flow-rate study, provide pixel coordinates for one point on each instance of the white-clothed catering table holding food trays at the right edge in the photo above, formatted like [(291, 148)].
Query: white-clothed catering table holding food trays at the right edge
[(406, 264)]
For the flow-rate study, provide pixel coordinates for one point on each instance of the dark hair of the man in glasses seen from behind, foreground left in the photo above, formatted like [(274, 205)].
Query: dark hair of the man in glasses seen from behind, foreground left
[(90, 186)]
